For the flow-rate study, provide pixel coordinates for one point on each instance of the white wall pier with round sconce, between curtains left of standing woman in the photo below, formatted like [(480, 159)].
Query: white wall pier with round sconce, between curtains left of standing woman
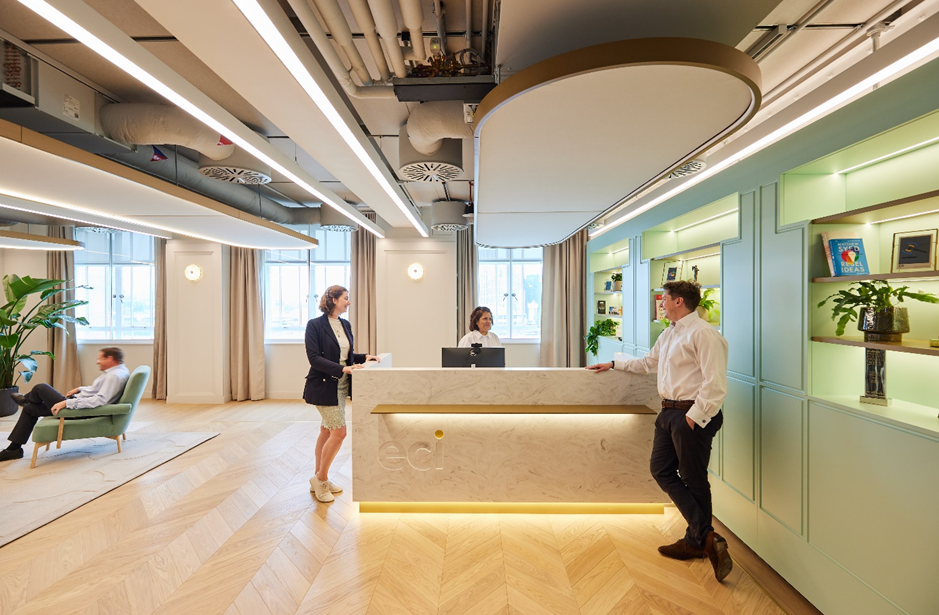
[(197, 324)]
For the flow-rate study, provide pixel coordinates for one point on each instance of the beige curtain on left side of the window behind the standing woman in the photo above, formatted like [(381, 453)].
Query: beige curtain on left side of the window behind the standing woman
[(246, 325)]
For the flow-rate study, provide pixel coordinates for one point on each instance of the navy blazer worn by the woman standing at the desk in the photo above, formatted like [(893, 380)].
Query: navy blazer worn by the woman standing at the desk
[(322, 350)]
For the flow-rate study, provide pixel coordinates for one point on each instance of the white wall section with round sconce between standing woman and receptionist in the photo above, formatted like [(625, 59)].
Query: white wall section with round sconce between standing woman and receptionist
[(416, 318)]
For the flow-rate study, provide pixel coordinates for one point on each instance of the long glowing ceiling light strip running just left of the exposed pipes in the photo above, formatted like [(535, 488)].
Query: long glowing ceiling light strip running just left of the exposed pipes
[(281, 48)]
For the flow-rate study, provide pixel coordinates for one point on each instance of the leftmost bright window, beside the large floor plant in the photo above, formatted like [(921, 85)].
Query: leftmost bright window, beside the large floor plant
[(118, 268)]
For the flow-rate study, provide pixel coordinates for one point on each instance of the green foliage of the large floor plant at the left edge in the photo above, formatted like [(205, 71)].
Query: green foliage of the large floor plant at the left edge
[(18, 321)]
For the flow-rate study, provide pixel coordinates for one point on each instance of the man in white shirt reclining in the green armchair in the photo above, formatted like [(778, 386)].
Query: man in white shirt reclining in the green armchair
[(43, 400)]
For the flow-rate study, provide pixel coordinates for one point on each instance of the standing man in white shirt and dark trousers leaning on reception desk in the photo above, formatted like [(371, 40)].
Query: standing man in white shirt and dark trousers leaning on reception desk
[(690, 358)]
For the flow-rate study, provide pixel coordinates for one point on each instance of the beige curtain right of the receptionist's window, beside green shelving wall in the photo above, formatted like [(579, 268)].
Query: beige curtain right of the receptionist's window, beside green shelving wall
[(563, 303)]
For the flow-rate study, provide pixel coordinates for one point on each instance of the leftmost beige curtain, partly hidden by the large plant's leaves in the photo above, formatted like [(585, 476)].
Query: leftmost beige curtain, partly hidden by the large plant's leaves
[(65, 372)]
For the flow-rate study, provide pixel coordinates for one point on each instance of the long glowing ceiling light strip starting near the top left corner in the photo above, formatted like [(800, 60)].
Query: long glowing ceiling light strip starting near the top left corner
[(91, 41)]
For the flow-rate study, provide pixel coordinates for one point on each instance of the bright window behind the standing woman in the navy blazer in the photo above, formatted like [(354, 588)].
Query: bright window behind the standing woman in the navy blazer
[(289, 276)]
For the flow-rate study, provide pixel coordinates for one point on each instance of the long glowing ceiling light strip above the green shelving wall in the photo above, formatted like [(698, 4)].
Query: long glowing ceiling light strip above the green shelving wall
[(800, 122)]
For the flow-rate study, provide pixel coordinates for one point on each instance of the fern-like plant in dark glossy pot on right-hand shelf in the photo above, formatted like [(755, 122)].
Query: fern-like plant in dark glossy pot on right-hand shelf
[(872, 305)]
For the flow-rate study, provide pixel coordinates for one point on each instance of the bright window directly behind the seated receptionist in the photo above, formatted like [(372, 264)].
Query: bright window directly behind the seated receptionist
[(510, 286)]
